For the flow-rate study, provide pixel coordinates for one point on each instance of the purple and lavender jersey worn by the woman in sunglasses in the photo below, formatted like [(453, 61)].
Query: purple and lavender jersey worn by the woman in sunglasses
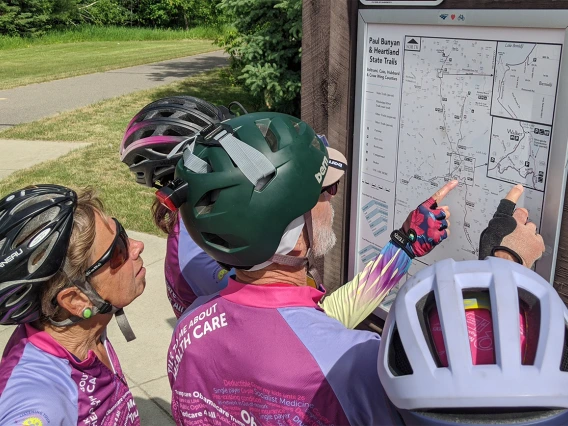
[(41, 383)]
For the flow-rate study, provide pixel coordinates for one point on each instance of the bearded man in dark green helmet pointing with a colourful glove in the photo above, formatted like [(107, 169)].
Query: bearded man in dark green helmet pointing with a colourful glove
[(245, 187)]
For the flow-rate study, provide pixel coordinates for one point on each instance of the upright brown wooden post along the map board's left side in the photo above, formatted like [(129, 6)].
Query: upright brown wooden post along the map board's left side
[(328, 83)]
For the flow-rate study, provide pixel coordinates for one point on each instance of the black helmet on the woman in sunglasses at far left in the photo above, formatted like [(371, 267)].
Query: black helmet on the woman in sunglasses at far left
[(35, 229)]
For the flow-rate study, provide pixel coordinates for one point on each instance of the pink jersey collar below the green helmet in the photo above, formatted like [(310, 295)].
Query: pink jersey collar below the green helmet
[(277, 295)]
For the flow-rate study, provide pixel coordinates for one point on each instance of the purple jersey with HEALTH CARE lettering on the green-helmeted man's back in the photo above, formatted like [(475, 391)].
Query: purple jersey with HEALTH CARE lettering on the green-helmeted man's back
[(268, 355)]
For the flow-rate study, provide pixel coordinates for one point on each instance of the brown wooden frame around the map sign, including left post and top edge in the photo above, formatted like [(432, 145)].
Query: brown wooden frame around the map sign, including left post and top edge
[(328, 85)]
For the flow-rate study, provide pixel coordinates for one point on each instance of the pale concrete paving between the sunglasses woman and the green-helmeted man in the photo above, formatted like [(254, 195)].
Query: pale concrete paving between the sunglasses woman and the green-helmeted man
[(144, 359)]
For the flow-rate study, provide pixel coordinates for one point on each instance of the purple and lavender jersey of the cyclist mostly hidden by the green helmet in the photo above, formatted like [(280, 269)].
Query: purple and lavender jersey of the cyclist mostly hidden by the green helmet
[(190, 272)]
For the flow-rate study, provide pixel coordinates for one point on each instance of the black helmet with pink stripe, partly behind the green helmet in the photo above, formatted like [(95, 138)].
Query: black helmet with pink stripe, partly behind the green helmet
[(157, 129)]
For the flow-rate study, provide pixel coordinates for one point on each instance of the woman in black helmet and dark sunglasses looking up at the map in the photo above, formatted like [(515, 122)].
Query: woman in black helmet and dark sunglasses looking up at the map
[(65, 269)]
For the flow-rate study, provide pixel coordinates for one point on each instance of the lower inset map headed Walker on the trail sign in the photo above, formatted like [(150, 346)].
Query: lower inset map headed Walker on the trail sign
[(519, 152)]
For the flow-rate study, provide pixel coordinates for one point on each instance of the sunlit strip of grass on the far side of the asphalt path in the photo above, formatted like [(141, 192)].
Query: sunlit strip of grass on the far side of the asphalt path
[(39, 63)]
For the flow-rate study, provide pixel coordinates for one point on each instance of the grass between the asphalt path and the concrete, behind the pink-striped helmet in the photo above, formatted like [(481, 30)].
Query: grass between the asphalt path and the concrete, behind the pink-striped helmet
[(98, 165)]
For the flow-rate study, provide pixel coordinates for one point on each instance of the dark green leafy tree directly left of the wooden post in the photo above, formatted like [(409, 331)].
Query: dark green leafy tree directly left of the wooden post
[(265, 49)]
